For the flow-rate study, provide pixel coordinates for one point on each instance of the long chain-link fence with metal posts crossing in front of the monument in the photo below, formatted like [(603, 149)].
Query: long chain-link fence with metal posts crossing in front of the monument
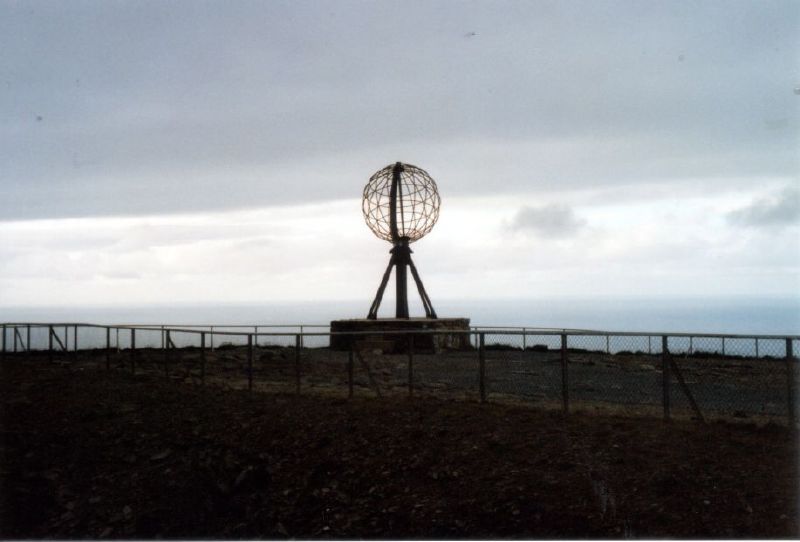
[(700, 376)]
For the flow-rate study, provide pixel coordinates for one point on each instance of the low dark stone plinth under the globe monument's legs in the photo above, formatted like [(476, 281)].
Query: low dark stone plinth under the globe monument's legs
[(382, 338)]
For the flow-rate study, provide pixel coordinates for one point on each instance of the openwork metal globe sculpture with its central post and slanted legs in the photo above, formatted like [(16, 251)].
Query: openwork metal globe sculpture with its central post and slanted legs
[(401, 205)]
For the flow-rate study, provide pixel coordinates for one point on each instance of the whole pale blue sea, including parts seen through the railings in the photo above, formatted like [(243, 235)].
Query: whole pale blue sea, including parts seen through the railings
[(748, 316)]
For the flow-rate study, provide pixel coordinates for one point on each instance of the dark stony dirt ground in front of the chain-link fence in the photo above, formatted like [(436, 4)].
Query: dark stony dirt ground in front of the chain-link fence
[(87, 453)]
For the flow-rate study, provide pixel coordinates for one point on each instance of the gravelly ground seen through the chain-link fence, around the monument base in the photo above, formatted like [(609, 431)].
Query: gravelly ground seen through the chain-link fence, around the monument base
[(723, 387)]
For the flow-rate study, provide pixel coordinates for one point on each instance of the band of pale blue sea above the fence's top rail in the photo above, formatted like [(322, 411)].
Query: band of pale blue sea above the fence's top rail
[(731, 314)]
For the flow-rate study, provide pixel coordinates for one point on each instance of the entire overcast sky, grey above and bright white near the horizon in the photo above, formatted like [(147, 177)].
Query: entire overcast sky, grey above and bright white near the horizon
[(216, 151)]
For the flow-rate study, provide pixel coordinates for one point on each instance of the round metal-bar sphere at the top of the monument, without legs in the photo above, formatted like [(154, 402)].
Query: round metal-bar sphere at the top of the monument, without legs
[(416, 208)]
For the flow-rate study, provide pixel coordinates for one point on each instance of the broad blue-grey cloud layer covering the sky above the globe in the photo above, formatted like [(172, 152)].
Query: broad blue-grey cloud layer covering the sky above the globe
[(292, 106)]
